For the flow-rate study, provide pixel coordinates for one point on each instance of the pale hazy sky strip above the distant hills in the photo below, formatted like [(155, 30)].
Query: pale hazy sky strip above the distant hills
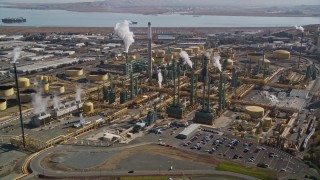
[(188, 2)]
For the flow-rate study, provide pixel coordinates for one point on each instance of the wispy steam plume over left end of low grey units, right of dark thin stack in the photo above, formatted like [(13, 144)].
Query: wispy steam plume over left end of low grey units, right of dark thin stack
[(39, 104)]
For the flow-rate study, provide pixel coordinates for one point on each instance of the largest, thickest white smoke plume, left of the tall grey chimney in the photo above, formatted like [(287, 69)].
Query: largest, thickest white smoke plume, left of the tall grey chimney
[(122, 30)]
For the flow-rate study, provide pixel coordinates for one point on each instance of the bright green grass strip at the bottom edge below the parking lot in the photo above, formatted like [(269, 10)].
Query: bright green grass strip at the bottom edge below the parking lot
[(263, 174)]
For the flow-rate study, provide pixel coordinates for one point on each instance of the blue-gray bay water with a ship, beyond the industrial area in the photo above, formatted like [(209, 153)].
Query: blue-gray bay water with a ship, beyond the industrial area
[(104, 19)]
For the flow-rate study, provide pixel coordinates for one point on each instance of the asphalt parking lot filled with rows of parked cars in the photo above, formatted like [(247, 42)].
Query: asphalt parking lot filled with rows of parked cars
[(237, 149)]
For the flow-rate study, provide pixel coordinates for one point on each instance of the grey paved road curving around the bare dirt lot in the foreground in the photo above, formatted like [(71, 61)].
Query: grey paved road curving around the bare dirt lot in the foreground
[(38, 169)]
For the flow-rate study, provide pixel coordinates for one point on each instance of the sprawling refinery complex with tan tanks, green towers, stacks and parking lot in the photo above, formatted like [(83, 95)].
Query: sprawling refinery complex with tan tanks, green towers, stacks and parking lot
[(249, 97)]
